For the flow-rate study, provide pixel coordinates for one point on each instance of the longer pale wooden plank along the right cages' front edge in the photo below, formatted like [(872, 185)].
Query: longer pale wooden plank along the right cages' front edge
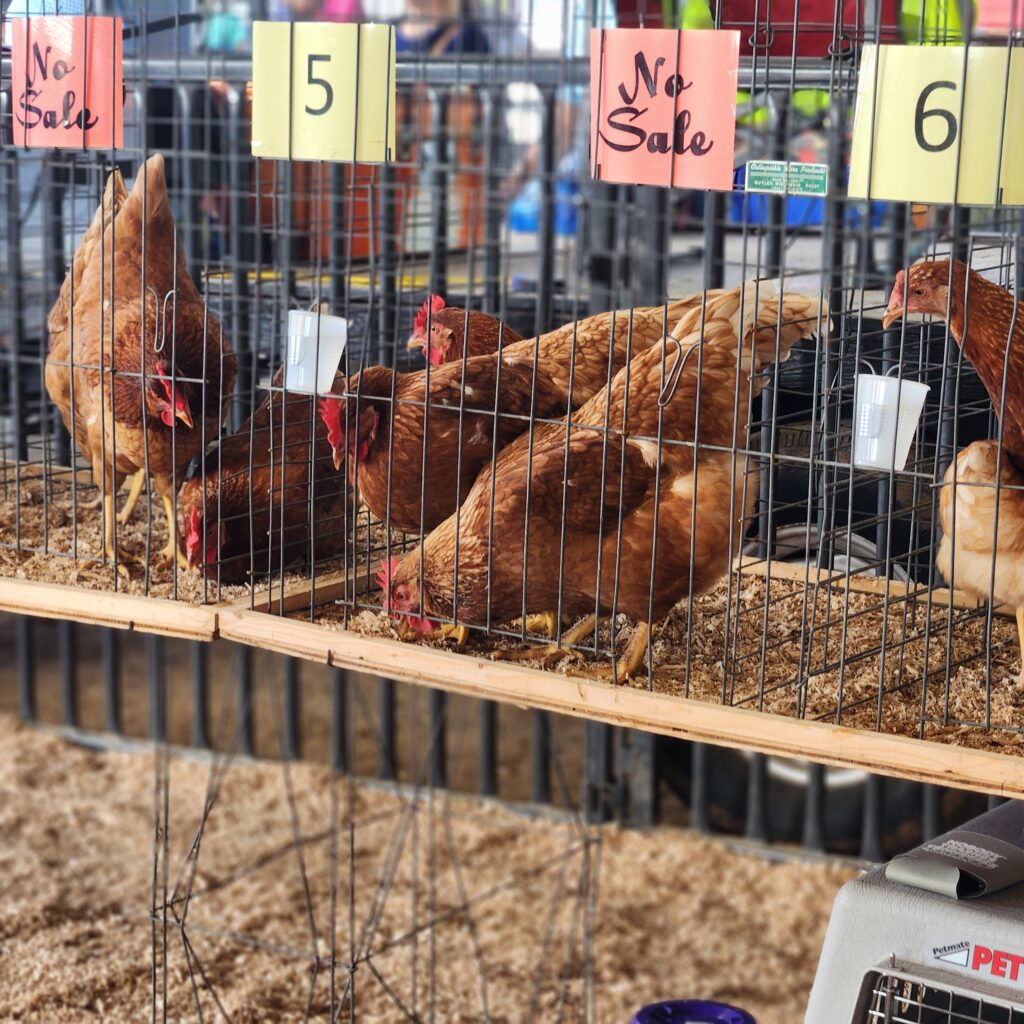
[(925, 761)]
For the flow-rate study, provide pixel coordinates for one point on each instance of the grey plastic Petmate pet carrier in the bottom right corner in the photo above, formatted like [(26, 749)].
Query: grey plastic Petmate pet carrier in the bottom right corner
[(934, 937)]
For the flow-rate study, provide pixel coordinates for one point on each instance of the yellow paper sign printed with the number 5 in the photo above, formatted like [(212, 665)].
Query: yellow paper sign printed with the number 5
[(323, 92)]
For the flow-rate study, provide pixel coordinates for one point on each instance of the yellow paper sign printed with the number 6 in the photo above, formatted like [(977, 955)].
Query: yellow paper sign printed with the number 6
[(922, 109)]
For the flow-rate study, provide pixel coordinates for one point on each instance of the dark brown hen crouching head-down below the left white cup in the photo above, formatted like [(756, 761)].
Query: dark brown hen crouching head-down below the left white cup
[(261, 497)]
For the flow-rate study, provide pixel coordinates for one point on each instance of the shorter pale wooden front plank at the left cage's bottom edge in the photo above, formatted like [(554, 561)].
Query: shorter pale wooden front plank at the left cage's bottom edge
[(126, 612)]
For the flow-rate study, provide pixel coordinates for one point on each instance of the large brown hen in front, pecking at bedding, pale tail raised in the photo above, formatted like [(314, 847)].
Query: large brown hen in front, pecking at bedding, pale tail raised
[(569, 490)]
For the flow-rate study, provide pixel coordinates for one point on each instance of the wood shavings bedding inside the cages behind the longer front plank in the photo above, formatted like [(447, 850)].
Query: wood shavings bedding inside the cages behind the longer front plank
[(727, 633)]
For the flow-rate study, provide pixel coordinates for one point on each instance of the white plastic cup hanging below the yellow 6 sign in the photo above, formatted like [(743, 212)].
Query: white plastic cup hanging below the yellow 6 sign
[(886, 415)]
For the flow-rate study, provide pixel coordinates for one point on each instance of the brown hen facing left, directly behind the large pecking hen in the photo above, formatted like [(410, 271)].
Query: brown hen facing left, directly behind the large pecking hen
[(385, 440)]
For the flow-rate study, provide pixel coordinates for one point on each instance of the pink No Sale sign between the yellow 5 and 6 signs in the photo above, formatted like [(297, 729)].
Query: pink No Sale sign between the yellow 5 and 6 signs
[(663, 107)]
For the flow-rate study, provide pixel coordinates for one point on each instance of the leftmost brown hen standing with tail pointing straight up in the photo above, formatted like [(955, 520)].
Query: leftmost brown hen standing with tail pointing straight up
[(137, 366)]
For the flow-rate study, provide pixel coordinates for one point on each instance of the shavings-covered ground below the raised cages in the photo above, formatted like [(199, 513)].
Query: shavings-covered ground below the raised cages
[(458, 905)]
